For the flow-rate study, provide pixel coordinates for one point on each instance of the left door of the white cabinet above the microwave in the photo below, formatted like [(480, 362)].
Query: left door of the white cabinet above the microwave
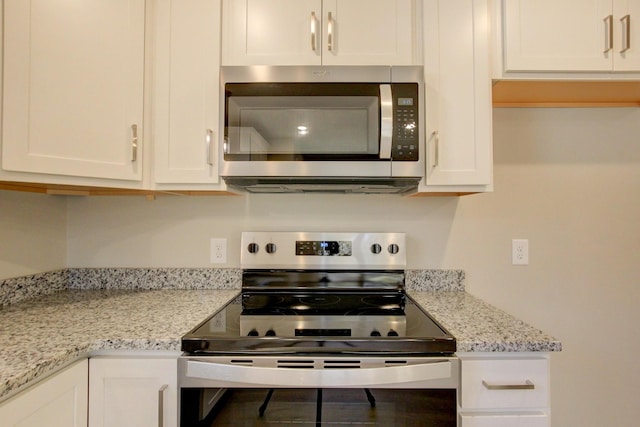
[(271, 32)]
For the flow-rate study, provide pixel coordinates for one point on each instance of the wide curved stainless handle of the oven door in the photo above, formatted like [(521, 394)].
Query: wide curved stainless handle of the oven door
[(227, 375)]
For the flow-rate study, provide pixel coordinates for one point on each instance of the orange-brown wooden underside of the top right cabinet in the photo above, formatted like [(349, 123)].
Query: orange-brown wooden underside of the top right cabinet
[(562, 94)]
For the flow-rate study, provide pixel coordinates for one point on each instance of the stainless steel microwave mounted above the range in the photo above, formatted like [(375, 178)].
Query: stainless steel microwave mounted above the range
[(323, 129)]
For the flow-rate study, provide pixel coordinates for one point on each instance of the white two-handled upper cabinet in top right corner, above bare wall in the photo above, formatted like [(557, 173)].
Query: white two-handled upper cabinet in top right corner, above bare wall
[(571, 35)]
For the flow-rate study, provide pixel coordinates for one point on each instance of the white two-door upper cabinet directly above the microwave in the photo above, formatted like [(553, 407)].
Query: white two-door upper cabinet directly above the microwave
[(319, 32)]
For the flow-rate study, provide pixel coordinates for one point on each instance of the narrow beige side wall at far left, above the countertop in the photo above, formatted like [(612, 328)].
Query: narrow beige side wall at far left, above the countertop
[(32, 234)]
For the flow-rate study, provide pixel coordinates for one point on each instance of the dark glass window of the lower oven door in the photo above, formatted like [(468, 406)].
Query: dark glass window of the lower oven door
[(329, 406)]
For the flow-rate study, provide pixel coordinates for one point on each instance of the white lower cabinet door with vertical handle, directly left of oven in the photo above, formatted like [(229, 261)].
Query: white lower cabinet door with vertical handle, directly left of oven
[(132, 392)]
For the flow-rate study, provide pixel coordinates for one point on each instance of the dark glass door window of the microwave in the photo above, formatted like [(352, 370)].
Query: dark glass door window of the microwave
[(302, 124)]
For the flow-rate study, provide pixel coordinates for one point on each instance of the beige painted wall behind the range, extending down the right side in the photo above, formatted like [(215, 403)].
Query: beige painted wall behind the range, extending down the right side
[(567, 180)]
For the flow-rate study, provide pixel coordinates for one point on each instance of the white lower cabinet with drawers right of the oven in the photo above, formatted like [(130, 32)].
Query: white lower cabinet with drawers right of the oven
[(504, 389)]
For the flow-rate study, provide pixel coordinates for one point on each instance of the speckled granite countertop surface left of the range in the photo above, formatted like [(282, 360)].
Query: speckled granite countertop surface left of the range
[(41, 335)]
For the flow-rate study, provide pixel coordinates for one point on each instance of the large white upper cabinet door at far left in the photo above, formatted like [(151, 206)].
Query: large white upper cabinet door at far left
[(73, 87)]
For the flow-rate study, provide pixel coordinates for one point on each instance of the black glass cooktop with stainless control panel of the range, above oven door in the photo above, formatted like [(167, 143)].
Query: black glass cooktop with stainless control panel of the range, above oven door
[(333, 293)]
